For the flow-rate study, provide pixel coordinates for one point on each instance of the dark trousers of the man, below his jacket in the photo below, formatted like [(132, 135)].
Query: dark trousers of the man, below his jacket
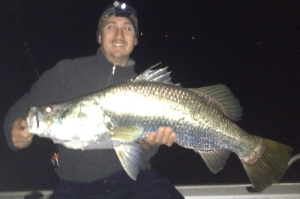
[(148, 185)]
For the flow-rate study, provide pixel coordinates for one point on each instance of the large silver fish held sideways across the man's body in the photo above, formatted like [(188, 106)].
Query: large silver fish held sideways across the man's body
[(121, 115)]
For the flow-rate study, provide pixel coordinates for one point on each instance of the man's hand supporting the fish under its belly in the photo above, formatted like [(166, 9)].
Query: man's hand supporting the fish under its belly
[(165, 135)]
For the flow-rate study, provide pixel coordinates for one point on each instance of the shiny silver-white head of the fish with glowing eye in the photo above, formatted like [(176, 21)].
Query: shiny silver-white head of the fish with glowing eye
[(73, 124)]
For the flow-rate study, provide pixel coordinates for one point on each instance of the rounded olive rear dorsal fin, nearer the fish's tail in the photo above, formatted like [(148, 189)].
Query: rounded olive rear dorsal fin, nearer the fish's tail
[(223, 98)]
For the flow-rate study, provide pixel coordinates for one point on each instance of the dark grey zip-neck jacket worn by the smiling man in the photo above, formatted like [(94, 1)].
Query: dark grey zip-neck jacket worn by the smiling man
[(70, 79)]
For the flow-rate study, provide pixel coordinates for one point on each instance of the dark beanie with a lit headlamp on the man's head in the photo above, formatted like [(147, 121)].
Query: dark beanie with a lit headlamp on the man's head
[(121, 10)]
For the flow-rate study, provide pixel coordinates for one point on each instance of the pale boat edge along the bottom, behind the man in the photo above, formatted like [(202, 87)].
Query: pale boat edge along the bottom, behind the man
[(243, 191)]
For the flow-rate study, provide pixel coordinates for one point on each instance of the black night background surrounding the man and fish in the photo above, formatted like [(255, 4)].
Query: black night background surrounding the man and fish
[(253, 47)]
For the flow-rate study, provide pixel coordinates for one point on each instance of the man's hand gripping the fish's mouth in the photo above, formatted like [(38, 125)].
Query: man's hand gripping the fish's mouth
[(21, 138)]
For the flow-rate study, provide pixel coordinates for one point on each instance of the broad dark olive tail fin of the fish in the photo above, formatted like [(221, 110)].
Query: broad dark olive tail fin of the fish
[(270, 167)]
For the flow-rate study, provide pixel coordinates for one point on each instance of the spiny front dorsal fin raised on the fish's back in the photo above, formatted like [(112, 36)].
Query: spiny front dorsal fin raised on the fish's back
[(158, 75)]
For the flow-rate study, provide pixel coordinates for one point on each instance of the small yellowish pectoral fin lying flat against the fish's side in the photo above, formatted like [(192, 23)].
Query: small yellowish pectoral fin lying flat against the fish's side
[(126, 134)]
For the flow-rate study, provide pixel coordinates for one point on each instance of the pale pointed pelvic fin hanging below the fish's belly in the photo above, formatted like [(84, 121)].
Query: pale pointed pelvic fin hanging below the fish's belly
[(130, 158)]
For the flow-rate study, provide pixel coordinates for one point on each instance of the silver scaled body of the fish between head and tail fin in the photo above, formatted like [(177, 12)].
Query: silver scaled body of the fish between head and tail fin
[(198, 124)]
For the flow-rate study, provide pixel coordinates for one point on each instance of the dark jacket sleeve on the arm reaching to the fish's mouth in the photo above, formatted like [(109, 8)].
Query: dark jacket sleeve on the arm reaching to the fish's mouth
[(42, 92)]
